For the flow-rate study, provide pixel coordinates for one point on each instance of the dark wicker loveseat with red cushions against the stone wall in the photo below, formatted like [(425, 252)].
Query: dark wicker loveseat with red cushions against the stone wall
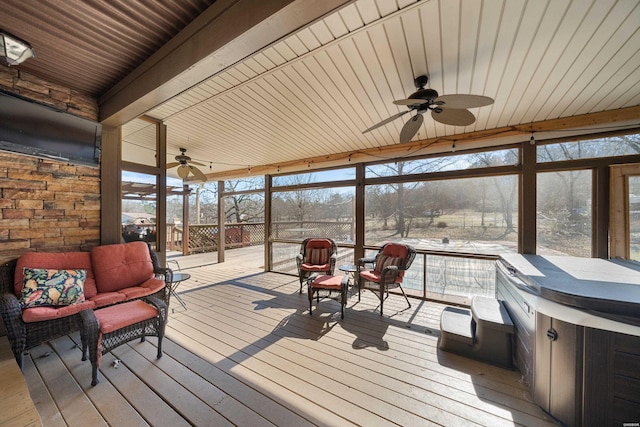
[(114, 274)]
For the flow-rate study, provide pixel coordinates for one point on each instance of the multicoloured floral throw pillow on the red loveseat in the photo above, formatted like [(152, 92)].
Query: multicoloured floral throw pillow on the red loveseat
[(52, 287)]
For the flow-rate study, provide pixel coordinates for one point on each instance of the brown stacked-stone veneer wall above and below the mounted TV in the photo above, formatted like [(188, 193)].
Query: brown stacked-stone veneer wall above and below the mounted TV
[(47, 205)]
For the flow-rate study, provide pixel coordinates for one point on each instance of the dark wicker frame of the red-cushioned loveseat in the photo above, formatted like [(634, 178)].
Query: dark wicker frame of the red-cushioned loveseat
[(26, 335)]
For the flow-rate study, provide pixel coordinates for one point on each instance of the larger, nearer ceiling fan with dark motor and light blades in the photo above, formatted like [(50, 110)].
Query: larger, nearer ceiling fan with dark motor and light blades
[(446, 109)]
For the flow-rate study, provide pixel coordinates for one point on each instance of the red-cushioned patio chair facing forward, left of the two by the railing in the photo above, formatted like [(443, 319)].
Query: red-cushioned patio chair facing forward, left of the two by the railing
[(316, 256)]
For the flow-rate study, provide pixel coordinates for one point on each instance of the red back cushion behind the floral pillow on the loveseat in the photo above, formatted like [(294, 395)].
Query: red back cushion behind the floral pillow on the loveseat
[(58, 261)]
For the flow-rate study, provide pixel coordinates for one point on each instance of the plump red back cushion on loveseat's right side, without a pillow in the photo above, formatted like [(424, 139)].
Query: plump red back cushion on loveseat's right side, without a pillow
[(121, 266)]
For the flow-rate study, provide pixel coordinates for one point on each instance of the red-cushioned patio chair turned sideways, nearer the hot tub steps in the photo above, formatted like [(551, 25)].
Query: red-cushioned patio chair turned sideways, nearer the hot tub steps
[(389, 266)]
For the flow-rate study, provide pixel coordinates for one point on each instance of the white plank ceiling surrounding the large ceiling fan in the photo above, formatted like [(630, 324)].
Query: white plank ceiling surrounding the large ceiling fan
[(312, 93)]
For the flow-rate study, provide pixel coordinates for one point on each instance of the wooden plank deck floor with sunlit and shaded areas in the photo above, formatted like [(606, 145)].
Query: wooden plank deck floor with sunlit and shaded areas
[(246, 352)]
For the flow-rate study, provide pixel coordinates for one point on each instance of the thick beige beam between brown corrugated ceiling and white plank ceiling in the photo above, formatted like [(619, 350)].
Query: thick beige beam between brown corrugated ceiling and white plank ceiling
[(227, 32)]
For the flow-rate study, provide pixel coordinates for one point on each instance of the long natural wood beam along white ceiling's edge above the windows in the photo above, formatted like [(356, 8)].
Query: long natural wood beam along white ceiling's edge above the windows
[(494, 137)]
